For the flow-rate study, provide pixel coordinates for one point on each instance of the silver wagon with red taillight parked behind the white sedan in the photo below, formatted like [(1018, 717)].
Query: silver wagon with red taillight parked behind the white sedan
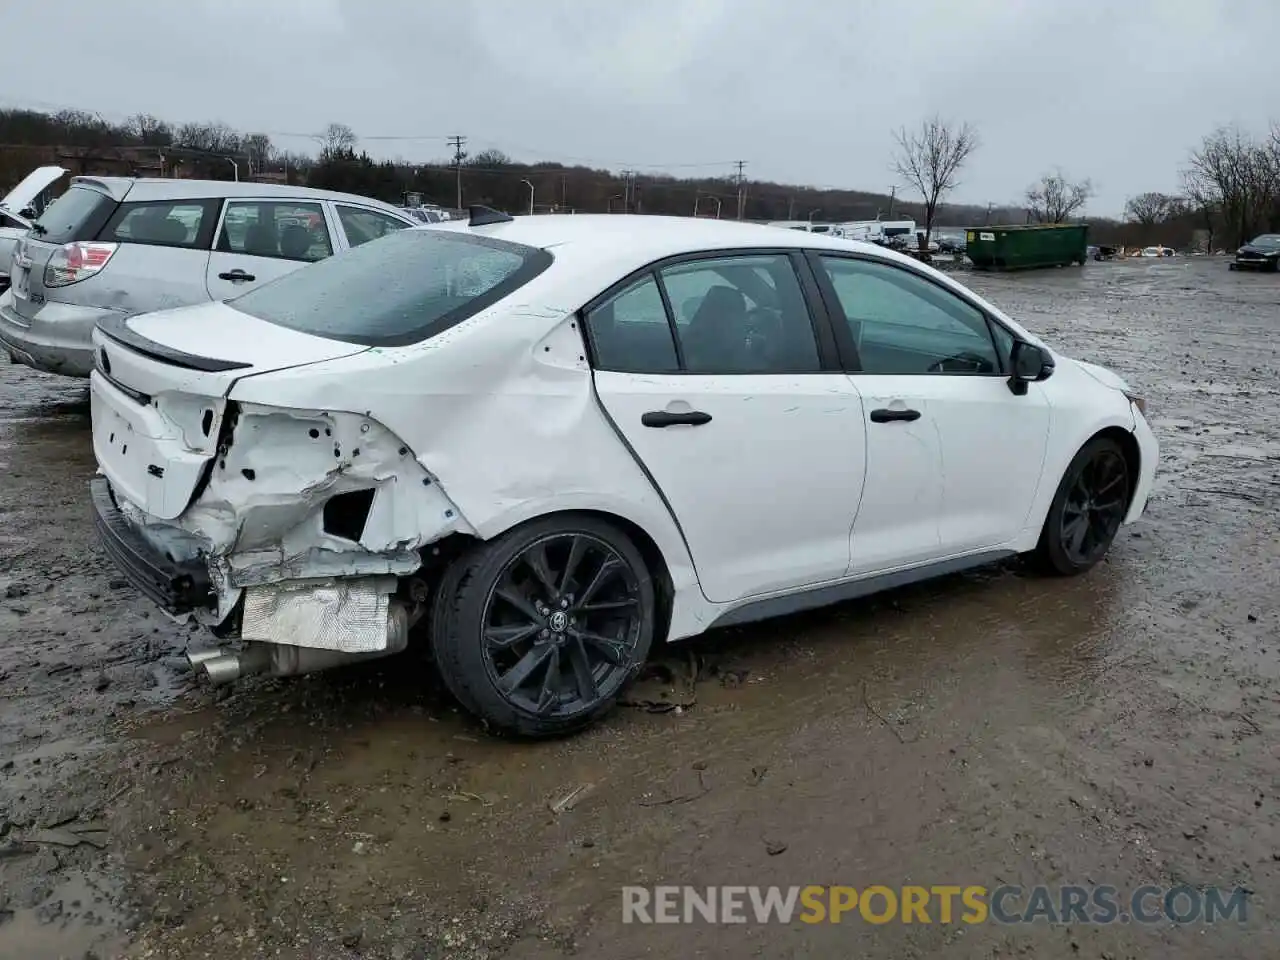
[(116, 246)]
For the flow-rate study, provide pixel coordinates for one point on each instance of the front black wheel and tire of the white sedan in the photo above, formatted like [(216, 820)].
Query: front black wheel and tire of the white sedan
[(1100, 465)]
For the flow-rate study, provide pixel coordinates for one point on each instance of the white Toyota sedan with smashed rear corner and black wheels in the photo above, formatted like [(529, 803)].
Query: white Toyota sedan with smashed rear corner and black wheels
[(557, 441)]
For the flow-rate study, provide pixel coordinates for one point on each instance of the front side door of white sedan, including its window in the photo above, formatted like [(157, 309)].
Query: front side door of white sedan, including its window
[(954, 458)]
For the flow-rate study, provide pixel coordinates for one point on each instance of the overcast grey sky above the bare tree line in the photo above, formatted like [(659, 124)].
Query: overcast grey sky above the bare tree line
[(804, 92)]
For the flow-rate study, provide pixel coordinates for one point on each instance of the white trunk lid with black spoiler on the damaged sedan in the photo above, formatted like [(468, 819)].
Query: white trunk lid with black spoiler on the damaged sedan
[(159, 394)]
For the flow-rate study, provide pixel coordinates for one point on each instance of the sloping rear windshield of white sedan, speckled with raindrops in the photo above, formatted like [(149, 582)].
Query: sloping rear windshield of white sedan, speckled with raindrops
[(403, 290)]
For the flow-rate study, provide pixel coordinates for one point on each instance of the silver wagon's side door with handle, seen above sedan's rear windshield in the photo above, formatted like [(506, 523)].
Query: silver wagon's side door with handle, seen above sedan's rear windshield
[(260, 240)]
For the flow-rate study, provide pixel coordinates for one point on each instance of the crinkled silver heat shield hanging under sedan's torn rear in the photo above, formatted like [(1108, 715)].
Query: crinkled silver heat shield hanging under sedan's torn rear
[(350, 616)]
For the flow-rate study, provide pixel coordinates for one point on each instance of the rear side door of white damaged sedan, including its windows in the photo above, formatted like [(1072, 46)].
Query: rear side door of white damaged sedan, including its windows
[(712, 371)]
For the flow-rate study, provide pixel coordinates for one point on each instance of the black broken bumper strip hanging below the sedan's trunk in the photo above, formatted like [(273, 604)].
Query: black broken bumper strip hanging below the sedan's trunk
[(179, 587)]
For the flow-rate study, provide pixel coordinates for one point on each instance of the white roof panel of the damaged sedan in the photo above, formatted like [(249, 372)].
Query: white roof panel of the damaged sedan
[(648, 239)]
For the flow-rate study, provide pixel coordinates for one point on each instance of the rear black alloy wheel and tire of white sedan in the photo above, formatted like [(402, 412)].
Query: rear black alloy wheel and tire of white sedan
[(546, 627)]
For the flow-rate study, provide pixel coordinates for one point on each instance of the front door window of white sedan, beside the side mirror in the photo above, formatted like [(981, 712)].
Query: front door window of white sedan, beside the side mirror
[(904, 324)]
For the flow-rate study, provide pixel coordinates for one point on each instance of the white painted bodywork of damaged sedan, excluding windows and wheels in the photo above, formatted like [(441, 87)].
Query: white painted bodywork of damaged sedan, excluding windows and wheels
[(500, 420)]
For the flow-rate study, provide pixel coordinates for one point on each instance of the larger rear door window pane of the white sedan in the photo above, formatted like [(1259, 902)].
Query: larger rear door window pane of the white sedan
[(742, 316)]
